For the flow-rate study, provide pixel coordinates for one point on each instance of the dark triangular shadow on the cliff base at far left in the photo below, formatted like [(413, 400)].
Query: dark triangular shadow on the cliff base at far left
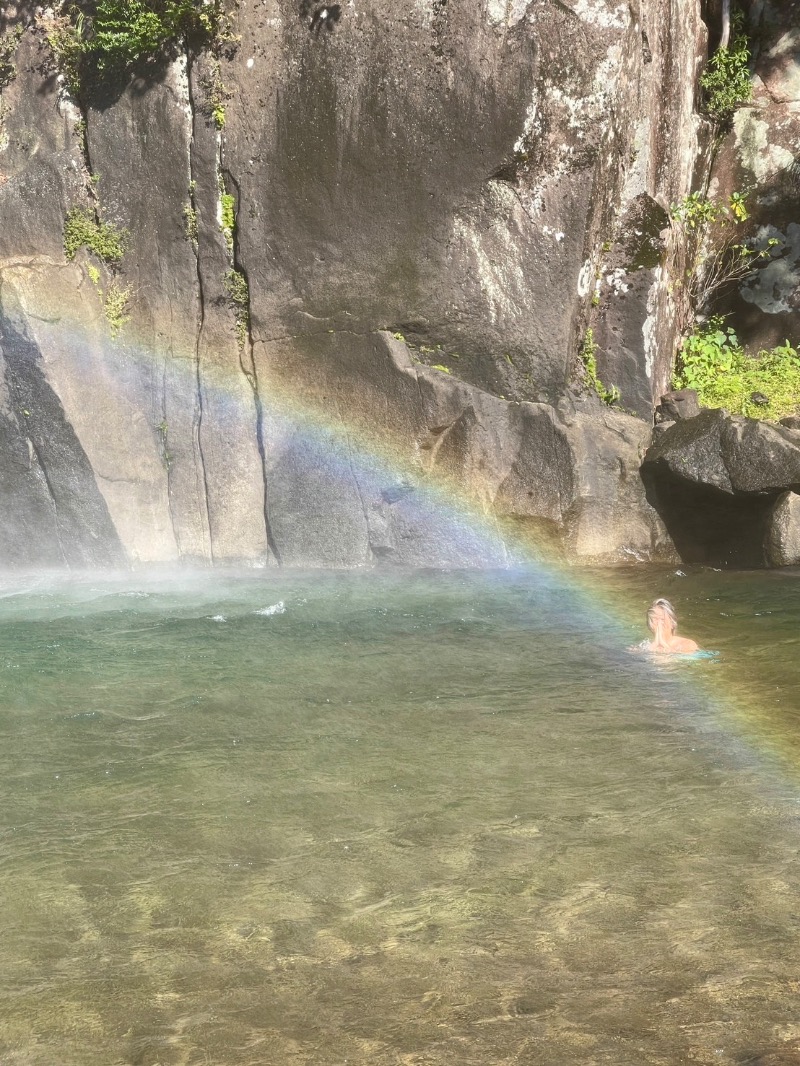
[(55, 511)]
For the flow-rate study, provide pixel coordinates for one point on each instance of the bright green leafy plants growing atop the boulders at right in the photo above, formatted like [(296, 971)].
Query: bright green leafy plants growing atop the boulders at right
[(713, 362)]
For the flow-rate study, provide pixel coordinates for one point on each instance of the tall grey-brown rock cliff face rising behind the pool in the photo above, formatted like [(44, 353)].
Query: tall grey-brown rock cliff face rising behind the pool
[(364, 250)]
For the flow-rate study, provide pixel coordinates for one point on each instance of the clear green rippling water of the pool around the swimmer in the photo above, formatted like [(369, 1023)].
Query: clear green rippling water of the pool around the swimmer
[(422, 820)]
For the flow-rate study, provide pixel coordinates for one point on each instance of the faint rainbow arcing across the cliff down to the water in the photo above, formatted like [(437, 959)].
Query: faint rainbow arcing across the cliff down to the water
[(351, 450)]
